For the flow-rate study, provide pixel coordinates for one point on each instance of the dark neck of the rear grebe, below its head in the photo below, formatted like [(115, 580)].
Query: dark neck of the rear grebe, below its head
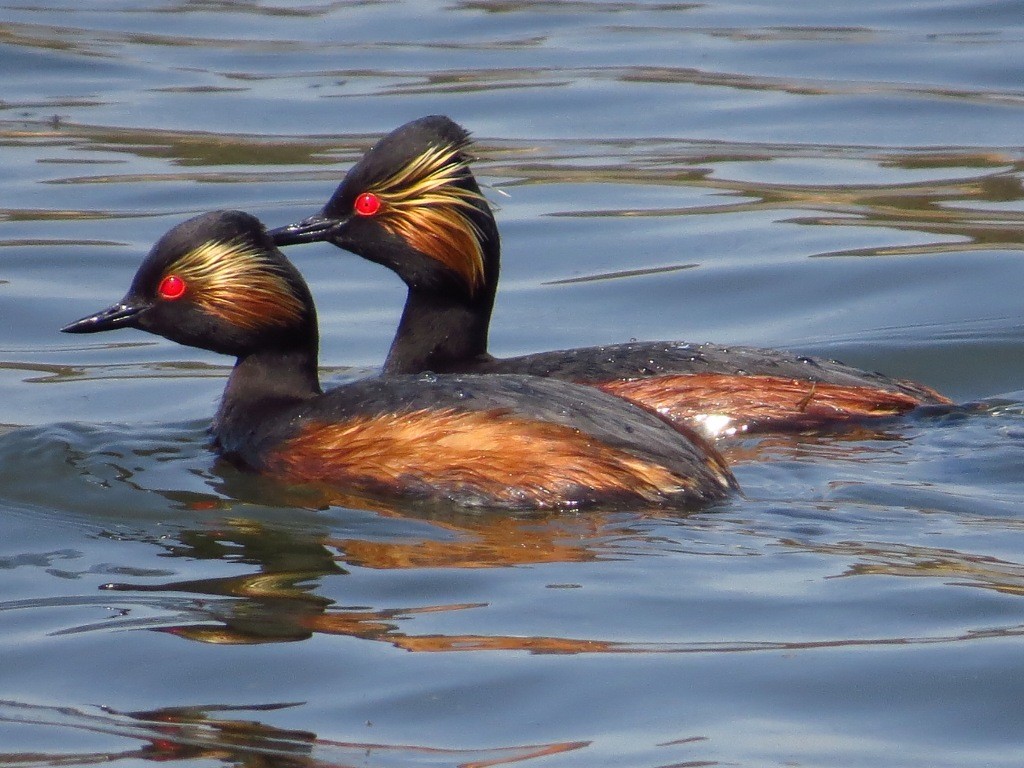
[(440, 332)]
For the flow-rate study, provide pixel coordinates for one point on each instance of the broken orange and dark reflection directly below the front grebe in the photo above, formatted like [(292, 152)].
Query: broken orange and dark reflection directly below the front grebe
[(279, 602)]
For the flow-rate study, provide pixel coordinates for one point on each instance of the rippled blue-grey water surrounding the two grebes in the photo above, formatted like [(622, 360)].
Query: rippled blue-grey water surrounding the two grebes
[(842, 180)]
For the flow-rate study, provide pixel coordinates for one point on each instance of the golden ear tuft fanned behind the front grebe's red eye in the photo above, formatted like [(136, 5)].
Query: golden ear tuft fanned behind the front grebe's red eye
[(240, 284)]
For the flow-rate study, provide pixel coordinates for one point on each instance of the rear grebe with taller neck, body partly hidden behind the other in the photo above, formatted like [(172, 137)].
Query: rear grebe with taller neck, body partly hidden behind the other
[(413, 205)]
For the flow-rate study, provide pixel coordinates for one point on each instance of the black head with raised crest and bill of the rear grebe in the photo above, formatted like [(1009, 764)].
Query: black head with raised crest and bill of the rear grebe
[(412, 204)]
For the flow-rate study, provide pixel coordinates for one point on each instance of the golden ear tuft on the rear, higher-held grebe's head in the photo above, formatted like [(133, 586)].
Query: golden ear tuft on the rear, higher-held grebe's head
[(423, 205)]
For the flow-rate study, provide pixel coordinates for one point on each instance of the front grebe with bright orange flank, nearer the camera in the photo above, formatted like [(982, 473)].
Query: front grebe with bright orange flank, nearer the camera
[(218, 282)]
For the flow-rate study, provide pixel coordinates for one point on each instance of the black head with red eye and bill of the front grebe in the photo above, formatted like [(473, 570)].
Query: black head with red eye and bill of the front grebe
[(216, 282)]
